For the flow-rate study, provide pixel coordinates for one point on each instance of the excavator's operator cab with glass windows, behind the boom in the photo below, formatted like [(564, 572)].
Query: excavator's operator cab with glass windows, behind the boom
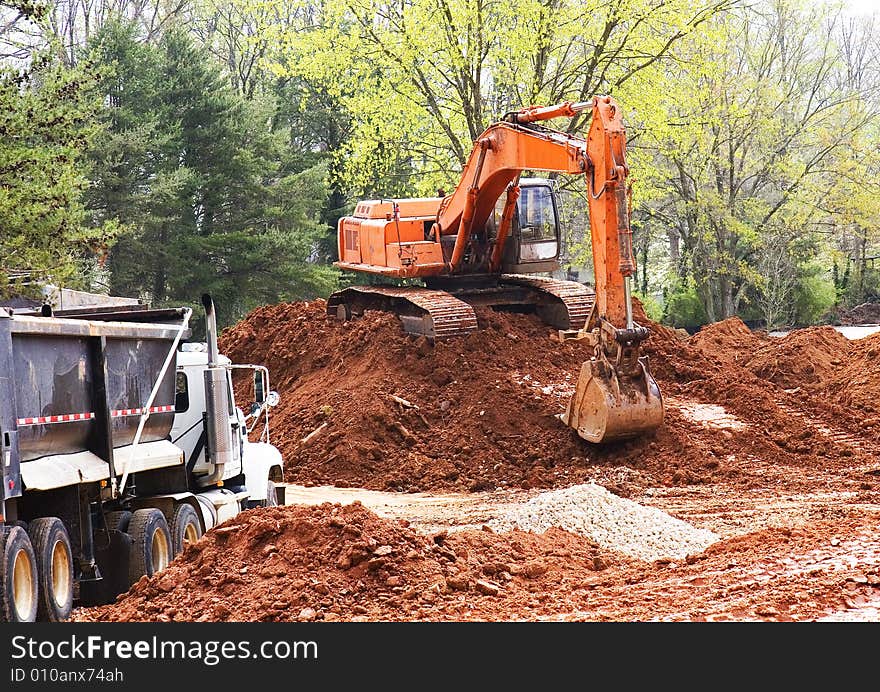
[(535, 239)]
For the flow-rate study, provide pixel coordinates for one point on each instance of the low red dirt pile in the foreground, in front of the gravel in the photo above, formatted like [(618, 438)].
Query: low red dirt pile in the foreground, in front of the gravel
[(342, 562)]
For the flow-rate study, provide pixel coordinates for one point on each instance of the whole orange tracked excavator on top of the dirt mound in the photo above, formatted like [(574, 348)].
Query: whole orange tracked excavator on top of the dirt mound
[(489, 242)]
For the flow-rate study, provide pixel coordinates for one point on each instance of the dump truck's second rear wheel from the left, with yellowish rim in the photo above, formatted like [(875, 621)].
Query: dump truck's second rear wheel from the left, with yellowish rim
[(54, 568)]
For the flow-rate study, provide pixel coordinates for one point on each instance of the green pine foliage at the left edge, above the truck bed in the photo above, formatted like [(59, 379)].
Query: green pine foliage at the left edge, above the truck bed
[(46, 120)]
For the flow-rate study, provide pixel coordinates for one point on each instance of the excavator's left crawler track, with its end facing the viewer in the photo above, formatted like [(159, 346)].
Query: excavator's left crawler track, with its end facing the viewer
[(427, 312)]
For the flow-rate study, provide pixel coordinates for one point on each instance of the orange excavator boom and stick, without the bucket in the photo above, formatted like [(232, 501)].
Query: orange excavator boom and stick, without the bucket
[(508, 148)]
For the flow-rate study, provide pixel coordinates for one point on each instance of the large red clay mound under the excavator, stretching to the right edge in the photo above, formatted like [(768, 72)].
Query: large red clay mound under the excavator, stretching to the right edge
[(481, 410)]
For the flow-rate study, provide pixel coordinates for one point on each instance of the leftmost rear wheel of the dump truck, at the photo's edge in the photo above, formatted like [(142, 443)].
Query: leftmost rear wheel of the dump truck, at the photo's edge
[(18, 577)]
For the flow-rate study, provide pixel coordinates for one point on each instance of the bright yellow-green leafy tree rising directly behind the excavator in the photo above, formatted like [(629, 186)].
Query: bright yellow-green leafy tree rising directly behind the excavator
[(423, 78)]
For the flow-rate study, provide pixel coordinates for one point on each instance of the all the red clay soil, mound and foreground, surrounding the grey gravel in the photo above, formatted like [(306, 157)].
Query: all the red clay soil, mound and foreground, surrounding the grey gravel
[(786, 474)]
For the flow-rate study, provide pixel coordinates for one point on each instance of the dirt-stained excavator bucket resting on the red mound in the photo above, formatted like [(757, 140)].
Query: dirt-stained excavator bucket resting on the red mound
[(606, 406)]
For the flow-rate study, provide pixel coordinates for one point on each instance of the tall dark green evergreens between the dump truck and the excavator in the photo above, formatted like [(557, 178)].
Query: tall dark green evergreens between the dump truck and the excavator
[(211, 198)]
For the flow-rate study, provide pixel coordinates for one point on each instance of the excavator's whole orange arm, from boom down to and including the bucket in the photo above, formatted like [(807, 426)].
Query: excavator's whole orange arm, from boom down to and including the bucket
[(615, 396)]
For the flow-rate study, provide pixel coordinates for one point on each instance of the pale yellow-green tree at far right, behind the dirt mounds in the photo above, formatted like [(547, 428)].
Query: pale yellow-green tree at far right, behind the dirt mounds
[(762, 122)]
